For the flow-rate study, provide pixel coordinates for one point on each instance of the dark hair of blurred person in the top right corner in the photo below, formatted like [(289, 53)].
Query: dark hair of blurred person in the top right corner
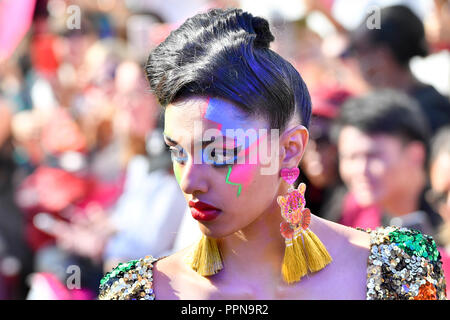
[(401, 31)]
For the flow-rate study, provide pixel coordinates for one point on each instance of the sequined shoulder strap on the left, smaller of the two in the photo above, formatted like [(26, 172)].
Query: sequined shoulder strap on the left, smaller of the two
[(132, 280)]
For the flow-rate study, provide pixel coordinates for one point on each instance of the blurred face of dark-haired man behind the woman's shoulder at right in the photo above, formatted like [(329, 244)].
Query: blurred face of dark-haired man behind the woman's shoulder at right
[(381, 169)]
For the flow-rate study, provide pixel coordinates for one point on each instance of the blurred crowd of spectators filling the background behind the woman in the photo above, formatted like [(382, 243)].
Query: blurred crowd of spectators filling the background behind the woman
[(86, 181)]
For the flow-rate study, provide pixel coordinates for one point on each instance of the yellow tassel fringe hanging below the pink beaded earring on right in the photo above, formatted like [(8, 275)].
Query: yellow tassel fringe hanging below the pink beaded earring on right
[(304, 252)]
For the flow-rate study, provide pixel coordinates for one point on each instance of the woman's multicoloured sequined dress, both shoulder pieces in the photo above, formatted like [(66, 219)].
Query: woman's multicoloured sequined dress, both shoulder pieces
[(403, 264)]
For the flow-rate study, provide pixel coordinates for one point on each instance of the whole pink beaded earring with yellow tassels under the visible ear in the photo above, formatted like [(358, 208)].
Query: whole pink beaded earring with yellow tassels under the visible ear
[(304, 250)]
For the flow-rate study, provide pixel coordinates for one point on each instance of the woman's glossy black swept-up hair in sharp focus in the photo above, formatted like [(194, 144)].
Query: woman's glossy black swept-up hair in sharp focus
[(225, 54)]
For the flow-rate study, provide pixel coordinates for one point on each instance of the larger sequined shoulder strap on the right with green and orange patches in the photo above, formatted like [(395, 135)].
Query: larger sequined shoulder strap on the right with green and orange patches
[(404, 264)]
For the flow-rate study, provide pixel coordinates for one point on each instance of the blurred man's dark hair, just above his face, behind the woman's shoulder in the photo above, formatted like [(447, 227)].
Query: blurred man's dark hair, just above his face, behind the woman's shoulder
[(384, 111)]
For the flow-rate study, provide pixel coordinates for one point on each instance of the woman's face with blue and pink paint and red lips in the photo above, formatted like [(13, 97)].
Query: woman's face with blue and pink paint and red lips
[(235, 176)]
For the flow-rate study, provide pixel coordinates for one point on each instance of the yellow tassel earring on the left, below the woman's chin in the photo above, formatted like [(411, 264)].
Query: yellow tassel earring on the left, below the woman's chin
[(205, 257)]
